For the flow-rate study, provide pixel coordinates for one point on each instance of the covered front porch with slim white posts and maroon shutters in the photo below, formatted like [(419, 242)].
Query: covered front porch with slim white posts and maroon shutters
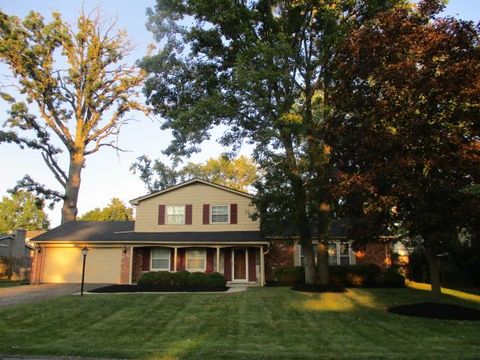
[(239, 264)]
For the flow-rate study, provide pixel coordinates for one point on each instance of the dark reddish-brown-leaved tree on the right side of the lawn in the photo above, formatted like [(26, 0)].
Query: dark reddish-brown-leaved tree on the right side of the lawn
[(405, 135)]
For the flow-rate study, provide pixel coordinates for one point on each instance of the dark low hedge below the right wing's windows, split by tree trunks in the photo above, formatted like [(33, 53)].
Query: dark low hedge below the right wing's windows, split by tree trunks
[(348, 275)]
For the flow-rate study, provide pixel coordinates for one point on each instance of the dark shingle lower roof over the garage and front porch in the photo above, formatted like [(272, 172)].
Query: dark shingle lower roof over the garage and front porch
[(122, 231)]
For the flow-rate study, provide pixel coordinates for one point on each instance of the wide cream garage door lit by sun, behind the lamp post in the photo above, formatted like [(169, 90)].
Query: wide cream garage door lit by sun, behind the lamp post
[(64, 265)]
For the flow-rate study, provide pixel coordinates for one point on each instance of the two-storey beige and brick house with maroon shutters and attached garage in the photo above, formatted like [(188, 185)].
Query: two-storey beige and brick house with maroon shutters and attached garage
[(193, 226)]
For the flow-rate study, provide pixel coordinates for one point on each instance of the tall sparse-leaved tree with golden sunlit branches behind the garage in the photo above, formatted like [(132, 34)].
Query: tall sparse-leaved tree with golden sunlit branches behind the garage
[(80, 85)]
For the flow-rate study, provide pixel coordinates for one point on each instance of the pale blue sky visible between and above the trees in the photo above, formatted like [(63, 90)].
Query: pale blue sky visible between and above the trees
[(107, 173)]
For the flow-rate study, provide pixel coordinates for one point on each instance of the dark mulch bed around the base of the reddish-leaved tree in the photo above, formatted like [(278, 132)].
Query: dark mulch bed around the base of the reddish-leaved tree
[(437, 311)]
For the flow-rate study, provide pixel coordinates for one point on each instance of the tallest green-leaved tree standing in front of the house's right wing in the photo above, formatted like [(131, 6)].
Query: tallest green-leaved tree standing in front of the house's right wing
[(262, 69)]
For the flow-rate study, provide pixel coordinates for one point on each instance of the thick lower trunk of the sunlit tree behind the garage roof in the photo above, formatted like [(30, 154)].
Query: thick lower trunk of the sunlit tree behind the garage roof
[(72, 188)]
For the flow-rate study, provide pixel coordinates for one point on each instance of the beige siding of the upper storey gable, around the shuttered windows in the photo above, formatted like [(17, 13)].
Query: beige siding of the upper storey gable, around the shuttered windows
[(196, 194)]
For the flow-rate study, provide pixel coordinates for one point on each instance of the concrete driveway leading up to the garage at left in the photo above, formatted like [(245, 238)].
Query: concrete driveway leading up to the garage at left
[(32, 293)]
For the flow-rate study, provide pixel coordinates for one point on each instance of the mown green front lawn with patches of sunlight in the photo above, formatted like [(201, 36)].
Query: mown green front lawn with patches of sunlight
[(261, 323)]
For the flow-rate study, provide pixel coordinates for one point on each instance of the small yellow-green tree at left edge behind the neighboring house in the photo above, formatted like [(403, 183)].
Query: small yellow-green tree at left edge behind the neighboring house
[(22, 211)]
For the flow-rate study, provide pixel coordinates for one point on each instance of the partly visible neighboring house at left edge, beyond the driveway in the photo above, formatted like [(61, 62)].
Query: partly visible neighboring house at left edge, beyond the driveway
[(15, 256)]
